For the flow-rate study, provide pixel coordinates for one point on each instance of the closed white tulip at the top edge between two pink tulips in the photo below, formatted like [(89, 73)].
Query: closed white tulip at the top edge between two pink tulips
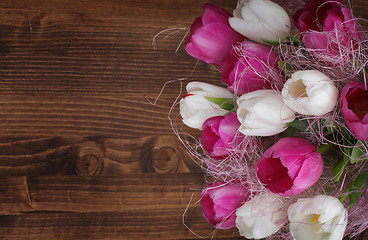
[(261, 20)]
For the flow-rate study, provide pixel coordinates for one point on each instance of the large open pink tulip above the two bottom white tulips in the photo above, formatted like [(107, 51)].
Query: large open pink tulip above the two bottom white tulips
[(290, 166)]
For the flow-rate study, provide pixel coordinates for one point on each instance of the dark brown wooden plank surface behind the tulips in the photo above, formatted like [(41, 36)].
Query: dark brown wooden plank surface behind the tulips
[(83, 153)]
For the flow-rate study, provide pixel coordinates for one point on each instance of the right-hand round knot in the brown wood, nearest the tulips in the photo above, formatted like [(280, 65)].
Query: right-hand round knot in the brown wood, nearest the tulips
[(166, 159)]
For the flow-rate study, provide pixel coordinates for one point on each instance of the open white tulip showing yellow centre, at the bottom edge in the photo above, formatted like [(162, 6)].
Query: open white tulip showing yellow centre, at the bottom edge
[(321, 217)]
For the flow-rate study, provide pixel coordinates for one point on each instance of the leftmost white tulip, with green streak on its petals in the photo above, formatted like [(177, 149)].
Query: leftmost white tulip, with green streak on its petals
[(195, 108)]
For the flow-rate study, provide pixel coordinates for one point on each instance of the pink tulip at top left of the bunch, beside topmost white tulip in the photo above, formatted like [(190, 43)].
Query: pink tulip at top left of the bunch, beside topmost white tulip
[(211, 35)]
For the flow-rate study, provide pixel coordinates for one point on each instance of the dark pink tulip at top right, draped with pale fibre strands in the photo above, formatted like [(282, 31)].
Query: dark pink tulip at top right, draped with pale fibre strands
[(327, 25)]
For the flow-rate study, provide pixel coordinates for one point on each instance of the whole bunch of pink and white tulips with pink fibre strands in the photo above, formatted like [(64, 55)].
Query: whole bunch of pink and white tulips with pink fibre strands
[(284, 140)]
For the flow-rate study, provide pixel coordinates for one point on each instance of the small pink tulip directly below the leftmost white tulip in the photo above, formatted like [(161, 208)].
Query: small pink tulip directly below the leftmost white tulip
[(219, 135)]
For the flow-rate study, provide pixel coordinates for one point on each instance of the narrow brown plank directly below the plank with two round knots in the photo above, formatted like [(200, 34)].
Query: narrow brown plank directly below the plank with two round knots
[(97, 193)]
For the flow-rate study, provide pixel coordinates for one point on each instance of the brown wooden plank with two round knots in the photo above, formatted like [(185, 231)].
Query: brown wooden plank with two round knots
[(94, 156)]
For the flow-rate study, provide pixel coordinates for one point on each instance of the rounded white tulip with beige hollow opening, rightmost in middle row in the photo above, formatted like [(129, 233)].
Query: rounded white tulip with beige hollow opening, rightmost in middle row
[(310, 92)]
